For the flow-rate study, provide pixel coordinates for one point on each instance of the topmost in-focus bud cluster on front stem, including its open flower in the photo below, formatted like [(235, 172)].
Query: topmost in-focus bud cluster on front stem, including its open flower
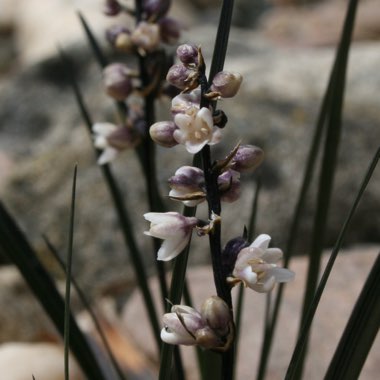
[(194, 126)]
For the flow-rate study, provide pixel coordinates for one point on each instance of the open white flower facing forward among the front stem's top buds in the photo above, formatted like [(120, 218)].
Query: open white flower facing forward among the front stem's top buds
[(195, 129)]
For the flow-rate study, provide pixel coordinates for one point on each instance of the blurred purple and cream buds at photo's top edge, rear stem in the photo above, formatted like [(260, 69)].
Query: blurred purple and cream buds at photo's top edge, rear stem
[(154, 28)]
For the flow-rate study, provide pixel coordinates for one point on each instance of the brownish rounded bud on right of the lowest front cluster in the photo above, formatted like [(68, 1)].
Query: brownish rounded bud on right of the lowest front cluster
[(217, 315)]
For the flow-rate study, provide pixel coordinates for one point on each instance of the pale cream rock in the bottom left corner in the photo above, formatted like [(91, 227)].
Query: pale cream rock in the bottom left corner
[(44, 361)]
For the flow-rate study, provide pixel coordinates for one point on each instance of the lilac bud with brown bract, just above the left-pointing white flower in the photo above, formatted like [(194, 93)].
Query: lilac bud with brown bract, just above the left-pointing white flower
[(187, 185)]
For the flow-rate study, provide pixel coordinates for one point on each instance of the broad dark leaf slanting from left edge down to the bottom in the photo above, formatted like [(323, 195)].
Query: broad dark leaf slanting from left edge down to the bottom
[(15, 246)]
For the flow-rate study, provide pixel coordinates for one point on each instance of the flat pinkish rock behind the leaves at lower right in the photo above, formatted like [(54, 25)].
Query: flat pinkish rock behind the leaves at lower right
[(331, 317)]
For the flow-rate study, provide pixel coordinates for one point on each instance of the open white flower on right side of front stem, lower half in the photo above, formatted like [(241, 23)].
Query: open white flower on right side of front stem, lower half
[(255, 266)]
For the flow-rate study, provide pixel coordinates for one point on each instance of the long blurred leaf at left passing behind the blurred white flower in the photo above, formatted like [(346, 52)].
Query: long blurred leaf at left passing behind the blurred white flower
[(123, 216)]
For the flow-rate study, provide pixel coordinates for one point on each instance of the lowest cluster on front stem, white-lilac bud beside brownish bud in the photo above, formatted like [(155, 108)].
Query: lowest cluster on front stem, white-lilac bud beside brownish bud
[(211, 328)]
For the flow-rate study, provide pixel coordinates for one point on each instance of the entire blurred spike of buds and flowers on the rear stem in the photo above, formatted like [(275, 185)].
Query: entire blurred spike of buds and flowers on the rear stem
[(120, 81)]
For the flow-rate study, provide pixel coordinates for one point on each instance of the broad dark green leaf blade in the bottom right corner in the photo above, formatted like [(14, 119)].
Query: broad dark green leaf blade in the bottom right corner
[(360, 332)]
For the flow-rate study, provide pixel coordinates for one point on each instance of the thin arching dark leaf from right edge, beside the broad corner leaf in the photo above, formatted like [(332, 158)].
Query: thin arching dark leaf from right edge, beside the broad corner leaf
[(299, 349)]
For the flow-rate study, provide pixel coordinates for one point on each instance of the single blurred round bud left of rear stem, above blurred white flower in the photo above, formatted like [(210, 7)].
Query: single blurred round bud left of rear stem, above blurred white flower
[(117, 81)]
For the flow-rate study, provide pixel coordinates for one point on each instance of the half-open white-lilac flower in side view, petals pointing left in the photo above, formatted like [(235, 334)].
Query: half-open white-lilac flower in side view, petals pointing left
[(174, 228)]
